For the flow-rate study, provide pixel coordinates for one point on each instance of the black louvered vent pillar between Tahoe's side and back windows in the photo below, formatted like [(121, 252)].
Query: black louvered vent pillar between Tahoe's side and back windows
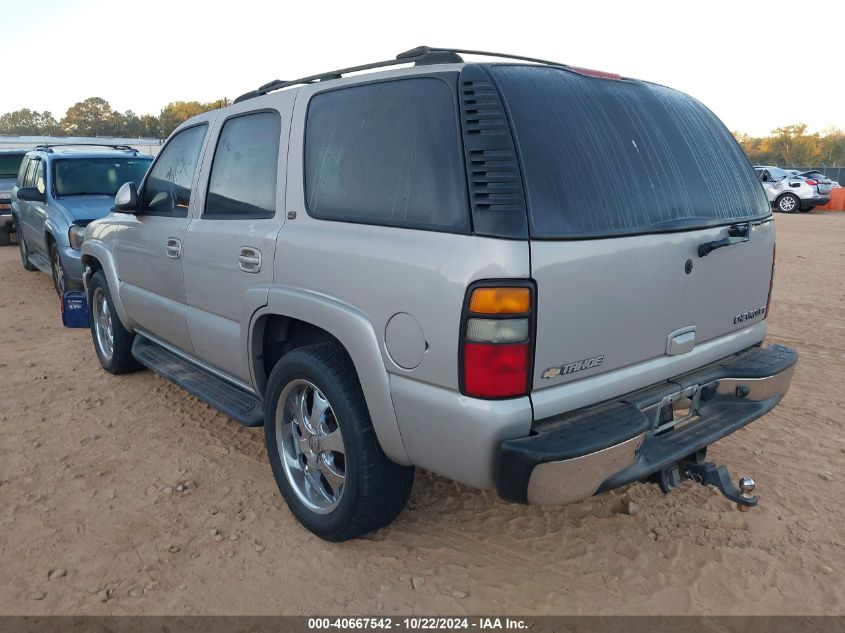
[(493, 176)]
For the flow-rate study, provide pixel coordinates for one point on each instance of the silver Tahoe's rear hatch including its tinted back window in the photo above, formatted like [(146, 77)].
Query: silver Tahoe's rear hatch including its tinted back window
[(624, 181)]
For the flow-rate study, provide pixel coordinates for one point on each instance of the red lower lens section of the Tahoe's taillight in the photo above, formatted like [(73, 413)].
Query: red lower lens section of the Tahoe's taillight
[(495, 371)]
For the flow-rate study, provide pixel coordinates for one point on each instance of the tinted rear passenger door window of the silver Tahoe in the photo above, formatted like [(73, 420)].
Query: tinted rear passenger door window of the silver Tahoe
[(243, 174)]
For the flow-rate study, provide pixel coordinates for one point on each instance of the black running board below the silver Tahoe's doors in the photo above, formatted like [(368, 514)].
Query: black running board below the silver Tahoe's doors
[(233, 401)]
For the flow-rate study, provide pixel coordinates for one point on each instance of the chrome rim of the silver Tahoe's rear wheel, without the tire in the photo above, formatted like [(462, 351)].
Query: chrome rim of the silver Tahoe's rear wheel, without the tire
[(310, 446)]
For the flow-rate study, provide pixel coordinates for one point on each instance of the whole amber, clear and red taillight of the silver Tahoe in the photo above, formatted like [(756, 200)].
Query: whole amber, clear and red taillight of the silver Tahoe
[(497, 339)]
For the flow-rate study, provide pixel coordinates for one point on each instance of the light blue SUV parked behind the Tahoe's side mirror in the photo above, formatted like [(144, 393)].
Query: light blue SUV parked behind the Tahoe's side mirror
[(59, 190)]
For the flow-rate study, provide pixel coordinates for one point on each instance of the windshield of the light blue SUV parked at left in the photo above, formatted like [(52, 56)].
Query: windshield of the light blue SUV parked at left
[(96, 176)]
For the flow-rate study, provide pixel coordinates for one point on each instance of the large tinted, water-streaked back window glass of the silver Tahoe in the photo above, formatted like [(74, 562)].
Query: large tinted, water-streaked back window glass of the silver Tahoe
[(605, 158)]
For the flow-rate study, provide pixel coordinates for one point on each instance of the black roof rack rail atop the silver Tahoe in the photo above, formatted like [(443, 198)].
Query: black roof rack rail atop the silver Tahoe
[(420, 56)]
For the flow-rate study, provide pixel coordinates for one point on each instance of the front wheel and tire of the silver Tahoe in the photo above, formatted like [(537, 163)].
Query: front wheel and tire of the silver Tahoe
[(112, 341)]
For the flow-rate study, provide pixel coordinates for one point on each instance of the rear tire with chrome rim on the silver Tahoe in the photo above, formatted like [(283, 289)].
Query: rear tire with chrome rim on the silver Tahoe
[(323, 449)]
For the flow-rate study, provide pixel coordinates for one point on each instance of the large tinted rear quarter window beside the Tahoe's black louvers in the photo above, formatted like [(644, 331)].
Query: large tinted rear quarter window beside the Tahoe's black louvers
[(387, 153)]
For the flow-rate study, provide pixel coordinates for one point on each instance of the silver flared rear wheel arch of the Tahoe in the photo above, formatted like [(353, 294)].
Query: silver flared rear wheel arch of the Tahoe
[(293, 317)]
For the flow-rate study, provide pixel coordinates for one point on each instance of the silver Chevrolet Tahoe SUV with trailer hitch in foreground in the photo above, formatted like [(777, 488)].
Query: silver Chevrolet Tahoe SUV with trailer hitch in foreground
[(541, 279)]
